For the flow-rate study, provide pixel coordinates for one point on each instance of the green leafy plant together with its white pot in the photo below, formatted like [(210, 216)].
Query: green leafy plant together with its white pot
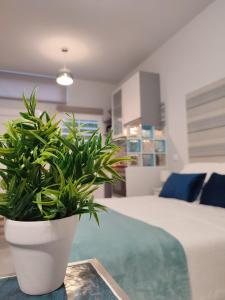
[(48, 182)]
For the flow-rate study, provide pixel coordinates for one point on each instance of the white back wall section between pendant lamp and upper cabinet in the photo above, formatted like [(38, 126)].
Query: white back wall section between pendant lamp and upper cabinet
[(92, 94)]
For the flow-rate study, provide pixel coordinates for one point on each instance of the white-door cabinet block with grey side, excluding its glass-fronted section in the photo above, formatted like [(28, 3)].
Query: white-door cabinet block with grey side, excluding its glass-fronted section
[(141, 99)]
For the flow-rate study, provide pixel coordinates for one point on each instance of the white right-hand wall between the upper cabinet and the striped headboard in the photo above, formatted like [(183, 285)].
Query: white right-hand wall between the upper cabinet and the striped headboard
[(193, 58)]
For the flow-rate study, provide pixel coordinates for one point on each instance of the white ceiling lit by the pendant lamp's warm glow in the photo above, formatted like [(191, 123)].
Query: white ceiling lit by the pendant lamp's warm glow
[(106, 38)]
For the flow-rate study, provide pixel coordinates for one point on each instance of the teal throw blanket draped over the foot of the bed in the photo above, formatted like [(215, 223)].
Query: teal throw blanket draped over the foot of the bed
[(146, 261)]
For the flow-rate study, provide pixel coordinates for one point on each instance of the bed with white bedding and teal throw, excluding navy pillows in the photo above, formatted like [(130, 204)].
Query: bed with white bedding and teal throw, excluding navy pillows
[(199, 229)]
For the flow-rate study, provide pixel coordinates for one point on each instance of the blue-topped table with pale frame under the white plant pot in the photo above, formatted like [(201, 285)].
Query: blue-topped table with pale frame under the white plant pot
[(86, 280)]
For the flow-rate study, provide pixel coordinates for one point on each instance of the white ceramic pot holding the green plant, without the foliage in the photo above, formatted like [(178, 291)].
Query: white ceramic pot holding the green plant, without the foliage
[(41, 251)]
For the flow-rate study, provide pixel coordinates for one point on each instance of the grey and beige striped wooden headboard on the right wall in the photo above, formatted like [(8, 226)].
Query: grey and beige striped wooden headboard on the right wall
[(206, 123)]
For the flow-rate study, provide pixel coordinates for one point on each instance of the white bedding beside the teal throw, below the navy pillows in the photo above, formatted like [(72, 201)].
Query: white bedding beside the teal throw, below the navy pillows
[(199, 228)]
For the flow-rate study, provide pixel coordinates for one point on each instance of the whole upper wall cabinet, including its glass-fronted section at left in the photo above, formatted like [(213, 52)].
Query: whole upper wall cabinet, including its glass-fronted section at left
[(137, 99)]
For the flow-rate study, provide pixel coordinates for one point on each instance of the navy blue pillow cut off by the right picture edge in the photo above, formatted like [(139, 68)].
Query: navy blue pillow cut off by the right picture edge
[(214, 191)]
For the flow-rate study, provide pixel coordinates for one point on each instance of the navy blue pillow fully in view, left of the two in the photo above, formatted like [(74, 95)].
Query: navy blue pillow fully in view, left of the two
[(183, 186)]
